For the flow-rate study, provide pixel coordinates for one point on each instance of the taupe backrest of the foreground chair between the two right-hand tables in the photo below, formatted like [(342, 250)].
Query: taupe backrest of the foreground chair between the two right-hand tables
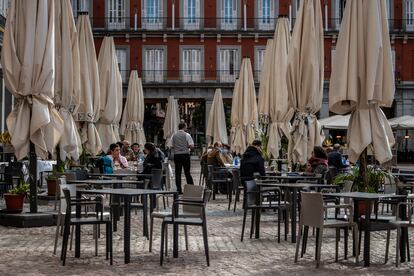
[(312, 211)]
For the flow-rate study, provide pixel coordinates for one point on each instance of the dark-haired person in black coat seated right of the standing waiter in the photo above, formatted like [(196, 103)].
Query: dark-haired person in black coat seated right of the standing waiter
[(252, 160)]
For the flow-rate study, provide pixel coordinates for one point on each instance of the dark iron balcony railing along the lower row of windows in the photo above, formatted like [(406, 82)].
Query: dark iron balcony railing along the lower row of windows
[(188, 76)]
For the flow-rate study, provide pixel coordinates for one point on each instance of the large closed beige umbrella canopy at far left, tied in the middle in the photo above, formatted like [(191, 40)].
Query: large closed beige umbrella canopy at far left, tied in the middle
[(28, 68)]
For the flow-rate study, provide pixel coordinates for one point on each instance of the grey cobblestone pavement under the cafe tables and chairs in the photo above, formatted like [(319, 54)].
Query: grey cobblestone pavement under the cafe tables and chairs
[(30, 252)]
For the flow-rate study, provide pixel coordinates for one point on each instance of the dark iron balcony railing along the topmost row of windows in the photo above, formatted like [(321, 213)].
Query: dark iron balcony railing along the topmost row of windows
[(130, 24)]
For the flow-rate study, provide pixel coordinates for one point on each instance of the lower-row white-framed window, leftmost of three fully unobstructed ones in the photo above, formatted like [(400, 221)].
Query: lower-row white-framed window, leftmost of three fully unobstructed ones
[(154, 64)]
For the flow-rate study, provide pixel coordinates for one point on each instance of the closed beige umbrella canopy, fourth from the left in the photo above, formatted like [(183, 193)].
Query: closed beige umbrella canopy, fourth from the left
[(110, 86)]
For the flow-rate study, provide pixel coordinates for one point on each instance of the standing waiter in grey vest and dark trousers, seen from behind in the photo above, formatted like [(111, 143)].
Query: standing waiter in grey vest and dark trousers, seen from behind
[(182, 143)]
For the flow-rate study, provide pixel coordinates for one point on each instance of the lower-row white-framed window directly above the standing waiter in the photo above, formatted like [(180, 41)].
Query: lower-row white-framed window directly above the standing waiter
[(191, 60)]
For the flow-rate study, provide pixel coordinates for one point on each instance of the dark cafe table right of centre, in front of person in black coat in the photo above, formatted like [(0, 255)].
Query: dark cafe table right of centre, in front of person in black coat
[(295, 188)]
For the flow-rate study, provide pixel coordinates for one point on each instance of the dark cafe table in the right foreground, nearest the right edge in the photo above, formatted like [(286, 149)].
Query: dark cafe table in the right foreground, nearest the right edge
[(369, 198)]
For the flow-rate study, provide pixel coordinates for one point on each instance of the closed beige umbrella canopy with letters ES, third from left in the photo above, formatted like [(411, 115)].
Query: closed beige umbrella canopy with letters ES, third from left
[(89, 104)]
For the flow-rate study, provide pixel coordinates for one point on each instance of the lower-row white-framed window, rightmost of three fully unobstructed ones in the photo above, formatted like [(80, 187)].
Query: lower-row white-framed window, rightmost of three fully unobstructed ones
[(229, 64)]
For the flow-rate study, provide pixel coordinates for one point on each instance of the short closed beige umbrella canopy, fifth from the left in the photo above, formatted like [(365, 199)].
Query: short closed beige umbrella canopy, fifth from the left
[(133, 118)]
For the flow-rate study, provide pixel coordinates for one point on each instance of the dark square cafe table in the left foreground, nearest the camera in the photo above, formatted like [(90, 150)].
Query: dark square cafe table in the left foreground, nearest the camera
[(127, 195)]
